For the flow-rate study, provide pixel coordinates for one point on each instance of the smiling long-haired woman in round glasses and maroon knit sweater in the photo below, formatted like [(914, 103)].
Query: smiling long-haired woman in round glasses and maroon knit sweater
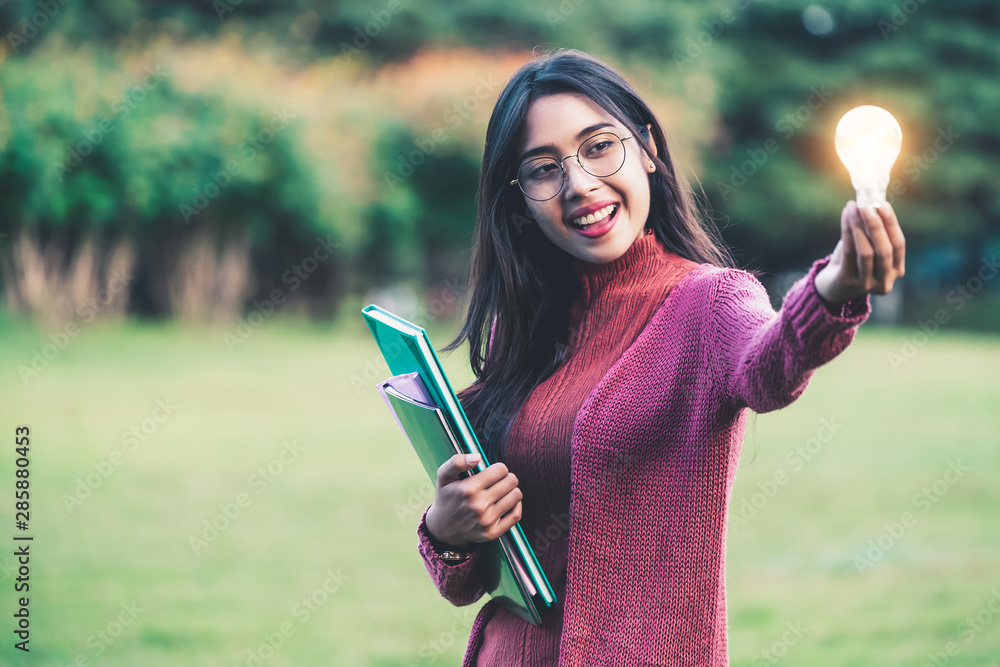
[(623, 353)]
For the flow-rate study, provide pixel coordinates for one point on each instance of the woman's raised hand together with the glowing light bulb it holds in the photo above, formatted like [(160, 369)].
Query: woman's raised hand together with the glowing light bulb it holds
[(871, 253)]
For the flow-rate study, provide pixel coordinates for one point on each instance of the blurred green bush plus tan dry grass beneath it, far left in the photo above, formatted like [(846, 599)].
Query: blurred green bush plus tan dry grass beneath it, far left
[(94, 178)]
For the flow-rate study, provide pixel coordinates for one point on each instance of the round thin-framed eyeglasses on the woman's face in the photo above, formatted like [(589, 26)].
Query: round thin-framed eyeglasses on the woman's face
[(601, 155)]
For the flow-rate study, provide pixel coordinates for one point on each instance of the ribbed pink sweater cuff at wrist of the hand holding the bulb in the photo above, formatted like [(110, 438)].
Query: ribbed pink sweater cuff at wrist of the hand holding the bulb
[(813, 317)]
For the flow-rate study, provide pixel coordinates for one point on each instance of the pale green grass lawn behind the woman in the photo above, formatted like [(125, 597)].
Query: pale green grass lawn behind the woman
[(321, 559)]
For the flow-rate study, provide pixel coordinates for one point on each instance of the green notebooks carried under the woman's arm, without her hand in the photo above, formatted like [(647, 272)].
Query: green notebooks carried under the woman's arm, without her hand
[(425, 407)]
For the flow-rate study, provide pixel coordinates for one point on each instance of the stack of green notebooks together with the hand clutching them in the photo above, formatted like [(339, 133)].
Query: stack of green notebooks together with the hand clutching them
[(475, 501)]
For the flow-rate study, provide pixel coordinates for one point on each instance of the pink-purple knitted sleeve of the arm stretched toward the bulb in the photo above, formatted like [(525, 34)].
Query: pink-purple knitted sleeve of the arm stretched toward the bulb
[(764, 360)]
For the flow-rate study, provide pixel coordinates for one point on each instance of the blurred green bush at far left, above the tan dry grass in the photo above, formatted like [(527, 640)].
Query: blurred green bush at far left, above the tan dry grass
[(151, 154)]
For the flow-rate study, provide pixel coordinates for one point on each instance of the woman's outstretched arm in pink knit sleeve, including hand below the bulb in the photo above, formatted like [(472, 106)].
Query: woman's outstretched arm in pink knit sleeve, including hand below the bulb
[(764, 359)]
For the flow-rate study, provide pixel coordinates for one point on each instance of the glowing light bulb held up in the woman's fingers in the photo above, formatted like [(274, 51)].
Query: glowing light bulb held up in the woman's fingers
[(868, 140)]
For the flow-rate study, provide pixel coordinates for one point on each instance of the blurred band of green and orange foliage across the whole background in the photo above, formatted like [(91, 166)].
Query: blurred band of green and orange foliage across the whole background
[(757, 88)]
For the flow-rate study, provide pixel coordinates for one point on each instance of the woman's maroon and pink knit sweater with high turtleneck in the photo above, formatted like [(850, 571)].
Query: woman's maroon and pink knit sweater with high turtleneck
[(626, 456)]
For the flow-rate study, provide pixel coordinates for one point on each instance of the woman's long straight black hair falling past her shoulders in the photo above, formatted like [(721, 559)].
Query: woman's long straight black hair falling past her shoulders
[(521, 284)]
